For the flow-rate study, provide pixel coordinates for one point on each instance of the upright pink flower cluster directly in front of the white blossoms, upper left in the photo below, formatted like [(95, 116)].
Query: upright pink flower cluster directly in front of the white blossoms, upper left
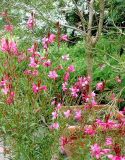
[(31, 22)]
